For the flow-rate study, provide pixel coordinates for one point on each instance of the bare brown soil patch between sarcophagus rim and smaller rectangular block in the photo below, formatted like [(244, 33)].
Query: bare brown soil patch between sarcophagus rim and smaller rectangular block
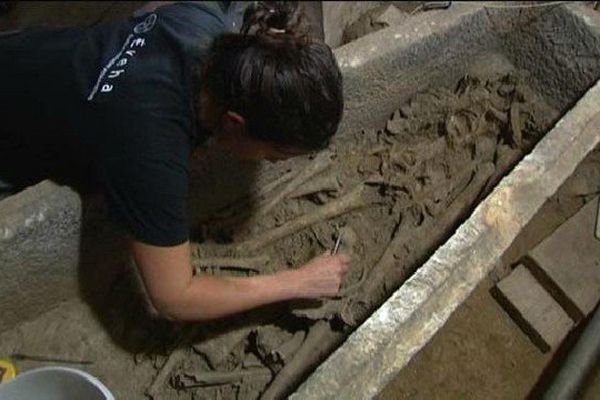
[(479, 354)]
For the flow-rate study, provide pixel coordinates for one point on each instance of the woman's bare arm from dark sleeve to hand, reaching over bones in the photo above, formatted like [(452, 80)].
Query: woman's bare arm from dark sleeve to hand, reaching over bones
[(177, 294)]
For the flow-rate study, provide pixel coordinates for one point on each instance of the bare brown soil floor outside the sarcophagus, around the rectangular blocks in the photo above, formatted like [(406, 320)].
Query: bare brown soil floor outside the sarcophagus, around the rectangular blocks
[(497, 360)]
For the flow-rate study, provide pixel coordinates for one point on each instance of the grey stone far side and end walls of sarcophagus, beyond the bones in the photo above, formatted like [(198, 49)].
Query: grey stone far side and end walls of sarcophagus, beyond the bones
[(383, 69)]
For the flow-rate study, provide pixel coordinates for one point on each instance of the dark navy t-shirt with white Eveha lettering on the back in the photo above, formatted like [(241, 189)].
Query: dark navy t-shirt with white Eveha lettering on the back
[(118, 97)]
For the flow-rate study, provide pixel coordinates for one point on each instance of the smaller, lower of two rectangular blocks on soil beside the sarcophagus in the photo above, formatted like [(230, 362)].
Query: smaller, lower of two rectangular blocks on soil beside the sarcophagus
[(533, 309)]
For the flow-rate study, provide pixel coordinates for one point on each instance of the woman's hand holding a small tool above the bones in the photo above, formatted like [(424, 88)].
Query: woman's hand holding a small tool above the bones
[(321, 277)]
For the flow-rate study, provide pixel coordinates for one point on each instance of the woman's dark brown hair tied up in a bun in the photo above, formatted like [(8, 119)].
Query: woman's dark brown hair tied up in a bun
[(287, 87)]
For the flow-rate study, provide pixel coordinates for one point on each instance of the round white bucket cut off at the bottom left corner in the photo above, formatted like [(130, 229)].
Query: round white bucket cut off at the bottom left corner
[(54, 383)]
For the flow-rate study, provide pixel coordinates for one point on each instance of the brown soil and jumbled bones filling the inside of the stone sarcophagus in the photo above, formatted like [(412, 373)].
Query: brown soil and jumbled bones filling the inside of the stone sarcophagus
[(393, 195)]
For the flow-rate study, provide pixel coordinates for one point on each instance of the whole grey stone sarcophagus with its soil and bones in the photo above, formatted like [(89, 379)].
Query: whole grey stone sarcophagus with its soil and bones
[(437, 111)]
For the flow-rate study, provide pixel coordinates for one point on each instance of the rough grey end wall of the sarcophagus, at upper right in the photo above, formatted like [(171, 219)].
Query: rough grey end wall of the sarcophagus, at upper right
[(560, 49)]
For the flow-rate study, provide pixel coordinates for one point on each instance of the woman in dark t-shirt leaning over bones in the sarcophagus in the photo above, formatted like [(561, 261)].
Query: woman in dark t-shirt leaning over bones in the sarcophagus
[(131, 100)]
